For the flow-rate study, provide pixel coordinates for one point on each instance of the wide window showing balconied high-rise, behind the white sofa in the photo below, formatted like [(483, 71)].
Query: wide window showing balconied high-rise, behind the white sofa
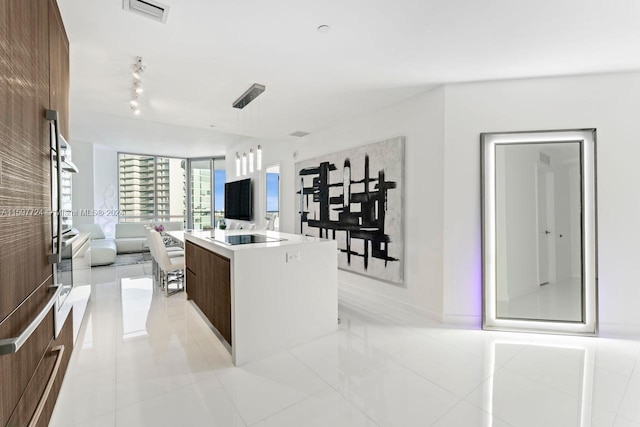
[(152, 189)]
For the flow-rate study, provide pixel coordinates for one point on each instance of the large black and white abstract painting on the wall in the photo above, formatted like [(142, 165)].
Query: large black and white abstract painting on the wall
[(356, 197)]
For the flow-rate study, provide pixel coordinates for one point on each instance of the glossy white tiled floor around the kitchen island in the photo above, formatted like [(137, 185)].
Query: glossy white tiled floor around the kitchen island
[(146, 360)]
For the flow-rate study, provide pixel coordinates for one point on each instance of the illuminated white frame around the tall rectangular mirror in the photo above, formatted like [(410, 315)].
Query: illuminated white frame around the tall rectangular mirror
[(490, 320)]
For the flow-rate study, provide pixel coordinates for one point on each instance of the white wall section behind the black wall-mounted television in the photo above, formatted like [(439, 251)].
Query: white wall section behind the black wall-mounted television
[(273, 153)]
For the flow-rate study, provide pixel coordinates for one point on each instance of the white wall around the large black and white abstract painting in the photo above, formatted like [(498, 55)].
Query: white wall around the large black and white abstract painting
[(420, 120)]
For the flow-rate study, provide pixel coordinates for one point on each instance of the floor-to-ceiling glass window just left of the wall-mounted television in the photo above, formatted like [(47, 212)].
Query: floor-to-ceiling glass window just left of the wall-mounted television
[(207, 179)]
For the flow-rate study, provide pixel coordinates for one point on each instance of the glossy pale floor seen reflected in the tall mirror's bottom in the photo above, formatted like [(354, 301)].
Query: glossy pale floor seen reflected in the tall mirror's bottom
[(554, 301)]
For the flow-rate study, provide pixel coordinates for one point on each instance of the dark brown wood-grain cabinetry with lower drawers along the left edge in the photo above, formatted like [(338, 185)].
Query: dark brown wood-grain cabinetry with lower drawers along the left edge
[(34, 77)]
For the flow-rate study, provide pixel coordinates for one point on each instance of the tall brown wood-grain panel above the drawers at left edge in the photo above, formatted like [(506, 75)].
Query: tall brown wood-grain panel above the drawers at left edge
[(25, 189)]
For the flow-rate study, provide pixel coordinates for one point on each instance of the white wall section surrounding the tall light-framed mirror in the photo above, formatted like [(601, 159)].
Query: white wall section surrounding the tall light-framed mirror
[(611, 104)]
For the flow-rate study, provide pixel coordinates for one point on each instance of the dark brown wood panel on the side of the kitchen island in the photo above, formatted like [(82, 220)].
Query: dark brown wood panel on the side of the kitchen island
[(209, 286)]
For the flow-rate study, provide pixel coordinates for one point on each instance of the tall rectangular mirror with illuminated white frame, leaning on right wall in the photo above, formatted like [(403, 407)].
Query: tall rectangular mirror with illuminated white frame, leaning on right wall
[(539, 244)]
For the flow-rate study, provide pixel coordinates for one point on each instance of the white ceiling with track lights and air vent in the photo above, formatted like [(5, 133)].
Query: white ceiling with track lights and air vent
[(377, 53)]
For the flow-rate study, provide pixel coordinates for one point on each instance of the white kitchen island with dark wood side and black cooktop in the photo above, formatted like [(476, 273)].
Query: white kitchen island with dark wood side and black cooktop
[(262, 291)]
